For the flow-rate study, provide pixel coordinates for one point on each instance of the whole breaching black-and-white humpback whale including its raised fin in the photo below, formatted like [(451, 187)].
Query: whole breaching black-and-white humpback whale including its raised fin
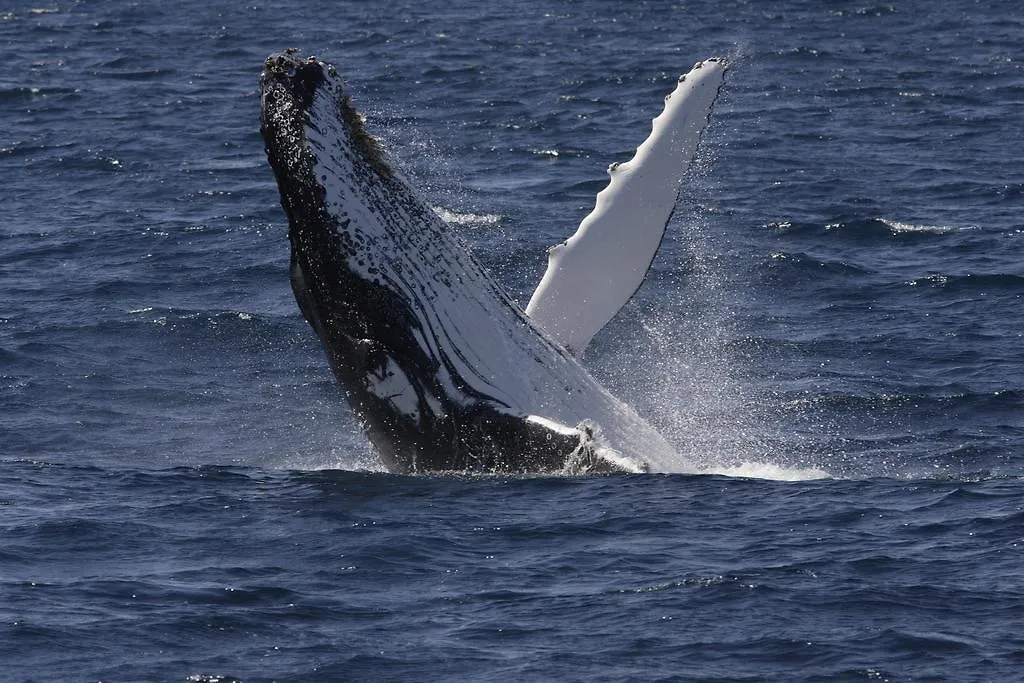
[(444, 370)]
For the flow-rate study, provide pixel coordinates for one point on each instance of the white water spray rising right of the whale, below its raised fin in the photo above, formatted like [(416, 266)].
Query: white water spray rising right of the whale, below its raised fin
[(694, 379)]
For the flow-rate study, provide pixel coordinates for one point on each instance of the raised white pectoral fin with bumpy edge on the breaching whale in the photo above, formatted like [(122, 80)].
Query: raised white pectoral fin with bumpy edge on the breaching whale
[(595, 272)]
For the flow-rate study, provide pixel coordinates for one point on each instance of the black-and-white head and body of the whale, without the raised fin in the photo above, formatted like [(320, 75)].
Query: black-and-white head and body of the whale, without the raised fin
[(446, 372)]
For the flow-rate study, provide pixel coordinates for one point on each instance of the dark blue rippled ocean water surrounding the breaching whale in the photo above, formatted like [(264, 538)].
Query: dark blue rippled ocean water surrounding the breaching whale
[(832, 336)]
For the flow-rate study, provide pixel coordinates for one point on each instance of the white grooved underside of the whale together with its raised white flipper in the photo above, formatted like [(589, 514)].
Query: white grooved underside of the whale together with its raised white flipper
[(480, 337)]
